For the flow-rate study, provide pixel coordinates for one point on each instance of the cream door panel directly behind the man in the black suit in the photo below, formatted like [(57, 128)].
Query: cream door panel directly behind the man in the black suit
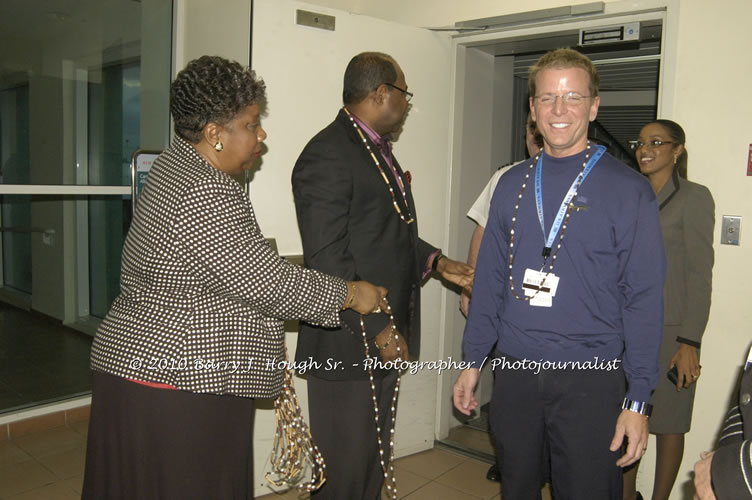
[(303, 68)]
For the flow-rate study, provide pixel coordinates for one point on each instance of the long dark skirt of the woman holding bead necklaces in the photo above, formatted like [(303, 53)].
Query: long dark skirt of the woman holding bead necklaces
[(147, 443)]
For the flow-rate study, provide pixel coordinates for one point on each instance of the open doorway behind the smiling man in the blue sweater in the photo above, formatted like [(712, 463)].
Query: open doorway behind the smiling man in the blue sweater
[(494, 70)]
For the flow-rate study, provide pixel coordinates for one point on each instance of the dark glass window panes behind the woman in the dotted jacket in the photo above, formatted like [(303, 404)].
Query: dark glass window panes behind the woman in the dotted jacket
[(82, 86)]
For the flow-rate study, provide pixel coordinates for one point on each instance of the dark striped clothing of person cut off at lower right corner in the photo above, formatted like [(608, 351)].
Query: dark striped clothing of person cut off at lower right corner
[(731, 468)]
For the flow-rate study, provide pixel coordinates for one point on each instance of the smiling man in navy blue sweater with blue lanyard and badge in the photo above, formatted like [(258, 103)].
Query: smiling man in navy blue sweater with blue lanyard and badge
[(569, 283)]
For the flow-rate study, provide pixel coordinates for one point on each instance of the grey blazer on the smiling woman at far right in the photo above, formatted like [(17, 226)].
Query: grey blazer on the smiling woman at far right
[(687, 219)]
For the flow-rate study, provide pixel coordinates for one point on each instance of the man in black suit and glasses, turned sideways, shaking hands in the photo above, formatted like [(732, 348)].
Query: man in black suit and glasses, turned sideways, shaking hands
[(357, 218)]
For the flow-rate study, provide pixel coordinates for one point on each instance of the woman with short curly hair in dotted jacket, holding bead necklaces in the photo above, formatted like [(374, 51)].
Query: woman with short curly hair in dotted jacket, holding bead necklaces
[(196, 333)]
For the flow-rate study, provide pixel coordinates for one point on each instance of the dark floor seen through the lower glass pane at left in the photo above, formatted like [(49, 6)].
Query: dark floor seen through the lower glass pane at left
[(40, 360)]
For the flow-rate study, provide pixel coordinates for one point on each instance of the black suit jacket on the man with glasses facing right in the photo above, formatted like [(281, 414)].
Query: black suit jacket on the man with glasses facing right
[(350, 228)]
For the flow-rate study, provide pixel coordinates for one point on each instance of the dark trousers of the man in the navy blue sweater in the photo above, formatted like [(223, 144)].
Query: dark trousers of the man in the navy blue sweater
[(574, 412)]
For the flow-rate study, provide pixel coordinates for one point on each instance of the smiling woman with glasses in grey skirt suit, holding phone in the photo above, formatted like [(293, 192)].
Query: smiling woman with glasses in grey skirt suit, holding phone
[(687, 220)]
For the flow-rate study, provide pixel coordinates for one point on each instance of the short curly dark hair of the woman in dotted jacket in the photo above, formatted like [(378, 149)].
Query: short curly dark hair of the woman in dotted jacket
[(212, 89)]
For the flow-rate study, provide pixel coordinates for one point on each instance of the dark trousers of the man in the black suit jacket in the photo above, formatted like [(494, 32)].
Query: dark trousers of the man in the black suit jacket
[(343, 427)]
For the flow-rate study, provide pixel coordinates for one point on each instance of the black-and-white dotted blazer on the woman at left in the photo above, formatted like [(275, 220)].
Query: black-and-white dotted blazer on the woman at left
[(202, 294)]
